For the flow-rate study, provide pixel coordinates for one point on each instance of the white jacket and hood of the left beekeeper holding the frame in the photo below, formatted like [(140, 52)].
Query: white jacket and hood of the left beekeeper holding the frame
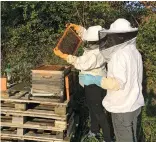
[(92, 61)]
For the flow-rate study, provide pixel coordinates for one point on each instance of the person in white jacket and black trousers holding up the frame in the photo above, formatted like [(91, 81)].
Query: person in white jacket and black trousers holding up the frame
[(91, 62)]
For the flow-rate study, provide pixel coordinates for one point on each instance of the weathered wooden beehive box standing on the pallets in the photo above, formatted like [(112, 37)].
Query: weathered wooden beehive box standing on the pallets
[(49, 80)]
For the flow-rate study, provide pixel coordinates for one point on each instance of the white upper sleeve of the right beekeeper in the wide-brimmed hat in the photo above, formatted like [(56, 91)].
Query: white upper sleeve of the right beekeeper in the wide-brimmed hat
[(119, 70)]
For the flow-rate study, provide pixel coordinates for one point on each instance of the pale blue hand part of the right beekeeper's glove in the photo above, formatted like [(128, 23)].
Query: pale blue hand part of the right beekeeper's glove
[(88, 79)]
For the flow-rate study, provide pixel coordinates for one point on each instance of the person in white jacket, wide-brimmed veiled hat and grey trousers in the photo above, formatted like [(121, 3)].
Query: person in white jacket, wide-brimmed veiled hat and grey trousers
[(124, 97)]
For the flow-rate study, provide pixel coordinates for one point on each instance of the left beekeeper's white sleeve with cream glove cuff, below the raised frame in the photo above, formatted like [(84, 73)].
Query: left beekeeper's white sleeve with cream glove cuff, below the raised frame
[(86, 62)]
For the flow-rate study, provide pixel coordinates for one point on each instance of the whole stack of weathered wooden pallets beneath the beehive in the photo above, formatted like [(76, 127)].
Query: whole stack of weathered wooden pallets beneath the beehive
[(35, 113)]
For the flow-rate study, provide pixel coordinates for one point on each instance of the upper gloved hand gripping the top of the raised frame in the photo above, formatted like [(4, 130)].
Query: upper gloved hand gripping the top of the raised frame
[(79, 29)]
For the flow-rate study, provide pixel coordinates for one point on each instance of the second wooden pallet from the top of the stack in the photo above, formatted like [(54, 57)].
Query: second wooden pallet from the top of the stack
[(23, 124)]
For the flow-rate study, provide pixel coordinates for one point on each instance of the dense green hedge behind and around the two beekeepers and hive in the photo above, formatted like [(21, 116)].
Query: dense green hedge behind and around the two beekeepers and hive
[(30, 30)]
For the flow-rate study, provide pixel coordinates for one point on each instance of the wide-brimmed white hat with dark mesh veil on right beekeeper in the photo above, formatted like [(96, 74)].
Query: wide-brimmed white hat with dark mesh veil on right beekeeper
[(118, 36)]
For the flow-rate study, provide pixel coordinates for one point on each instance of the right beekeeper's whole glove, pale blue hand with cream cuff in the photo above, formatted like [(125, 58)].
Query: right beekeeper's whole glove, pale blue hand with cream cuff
[(108, 83)]
